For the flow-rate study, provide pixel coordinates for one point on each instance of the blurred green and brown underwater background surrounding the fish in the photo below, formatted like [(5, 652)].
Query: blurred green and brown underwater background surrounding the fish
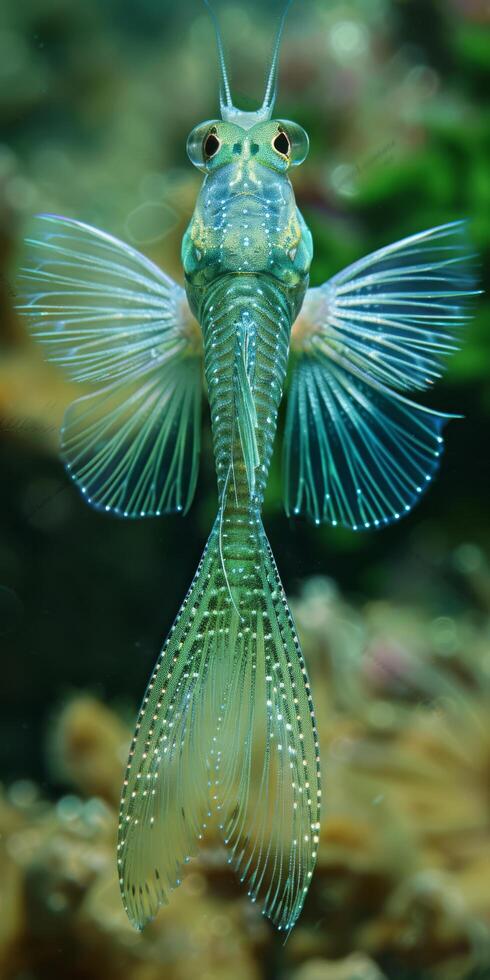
[(96, 101)]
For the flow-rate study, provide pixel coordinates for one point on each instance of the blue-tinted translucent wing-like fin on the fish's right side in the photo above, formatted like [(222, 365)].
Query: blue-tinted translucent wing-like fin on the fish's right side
[(356, 451)]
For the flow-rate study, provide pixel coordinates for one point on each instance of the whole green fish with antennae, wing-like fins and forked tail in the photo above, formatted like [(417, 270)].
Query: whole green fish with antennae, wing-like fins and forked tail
[(226, 730)]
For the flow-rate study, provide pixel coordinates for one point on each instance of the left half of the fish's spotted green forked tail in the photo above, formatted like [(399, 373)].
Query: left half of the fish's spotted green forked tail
[(166, 798)]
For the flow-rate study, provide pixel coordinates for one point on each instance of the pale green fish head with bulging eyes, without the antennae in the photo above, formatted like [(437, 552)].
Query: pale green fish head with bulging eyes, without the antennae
[(246, 219)]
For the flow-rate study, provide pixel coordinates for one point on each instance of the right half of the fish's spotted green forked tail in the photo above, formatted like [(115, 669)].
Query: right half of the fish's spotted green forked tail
[(267, 776)]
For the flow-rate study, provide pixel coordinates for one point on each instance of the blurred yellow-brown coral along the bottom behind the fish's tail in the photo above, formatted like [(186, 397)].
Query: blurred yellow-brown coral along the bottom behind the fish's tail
[(404, 857)]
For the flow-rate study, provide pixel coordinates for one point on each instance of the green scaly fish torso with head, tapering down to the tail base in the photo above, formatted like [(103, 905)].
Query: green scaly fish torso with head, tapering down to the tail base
[(246, 258)]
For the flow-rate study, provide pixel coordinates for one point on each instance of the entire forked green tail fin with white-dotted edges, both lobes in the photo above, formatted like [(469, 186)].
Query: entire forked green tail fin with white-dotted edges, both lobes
[(226, 725)]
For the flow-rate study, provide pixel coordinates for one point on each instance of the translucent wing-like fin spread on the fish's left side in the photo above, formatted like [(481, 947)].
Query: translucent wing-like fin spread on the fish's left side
[(111, 318)]
